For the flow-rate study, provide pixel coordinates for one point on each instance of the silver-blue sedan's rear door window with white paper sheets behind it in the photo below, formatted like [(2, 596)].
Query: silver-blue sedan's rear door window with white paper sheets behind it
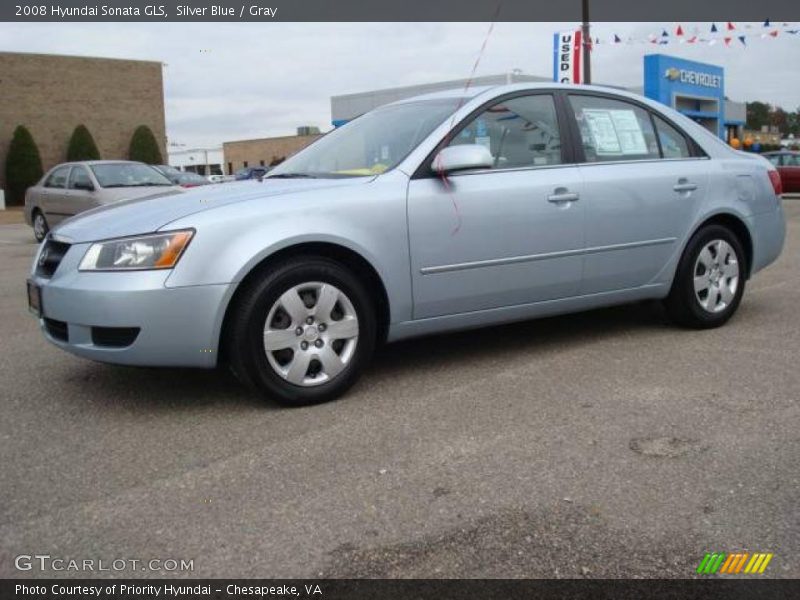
[(614, 130)]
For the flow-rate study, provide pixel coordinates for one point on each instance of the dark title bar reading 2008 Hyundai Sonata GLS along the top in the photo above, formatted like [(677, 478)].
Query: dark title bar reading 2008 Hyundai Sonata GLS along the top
[(395, 10)]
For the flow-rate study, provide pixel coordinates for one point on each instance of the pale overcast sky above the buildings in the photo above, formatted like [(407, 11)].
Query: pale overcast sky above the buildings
[(230, 81)]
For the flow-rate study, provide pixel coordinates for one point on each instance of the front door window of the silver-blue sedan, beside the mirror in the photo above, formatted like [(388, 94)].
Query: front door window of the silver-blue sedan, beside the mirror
[(521, 132)]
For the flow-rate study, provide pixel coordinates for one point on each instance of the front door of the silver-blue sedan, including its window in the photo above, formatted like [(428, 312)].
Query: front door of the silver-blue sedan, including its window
[(501, 236)]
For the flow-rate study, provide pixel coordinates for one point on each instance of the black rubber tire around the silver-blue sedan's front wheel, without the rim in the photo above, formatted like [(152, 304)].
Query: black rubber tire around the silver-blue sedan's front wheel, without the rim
[(244, 341)]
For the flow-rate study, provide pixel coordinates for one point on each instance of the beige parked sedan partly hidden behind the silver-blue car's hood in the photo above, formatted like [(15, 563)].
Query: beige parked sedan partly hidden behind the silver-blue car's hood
[(71, 188)]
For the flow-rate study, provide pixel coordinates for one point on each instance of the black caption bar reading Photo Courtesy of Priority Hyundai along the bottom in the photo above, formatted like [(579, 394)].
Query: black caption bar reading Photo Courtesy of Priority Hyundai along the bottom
[(405, 589)]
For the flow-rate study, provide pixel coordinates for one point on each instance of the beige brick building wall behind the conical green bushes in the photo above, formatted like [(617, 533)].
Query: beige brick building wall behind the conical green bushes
[(52, 94)]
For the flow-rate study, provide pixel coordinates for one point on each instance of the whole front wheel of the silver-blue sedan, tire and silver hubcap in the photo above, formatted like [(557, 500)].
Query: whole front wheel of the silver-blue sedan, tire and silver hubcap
[(303, 333)]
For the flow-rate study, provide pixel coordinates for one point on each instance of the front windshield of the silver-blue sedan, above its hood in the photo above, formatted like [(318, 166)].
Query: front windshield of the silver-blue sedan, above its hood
[(371, 144)]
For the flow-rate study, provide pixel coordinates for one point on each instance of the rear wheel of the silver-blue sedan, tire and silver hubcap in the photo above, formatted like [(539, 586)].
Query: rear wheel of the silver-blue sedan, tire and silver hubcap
[(709, 282)]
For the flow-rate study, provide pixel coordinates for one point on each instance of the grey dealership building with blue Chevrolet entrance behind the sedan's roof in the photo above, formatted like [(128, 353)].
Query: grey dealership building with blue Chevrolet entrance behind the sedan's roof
[(695, 89)]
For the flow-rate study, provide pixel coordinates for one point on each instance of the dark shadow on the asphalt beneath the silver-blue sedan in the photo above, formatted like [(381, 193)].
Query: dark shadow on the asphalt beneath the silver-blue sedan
[(170, 389)]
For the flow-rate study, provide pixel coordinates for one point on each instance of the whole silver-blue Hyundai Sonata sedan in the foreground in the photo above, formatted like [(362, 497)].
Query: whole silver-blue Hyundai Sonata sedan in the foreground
[(442, 212)]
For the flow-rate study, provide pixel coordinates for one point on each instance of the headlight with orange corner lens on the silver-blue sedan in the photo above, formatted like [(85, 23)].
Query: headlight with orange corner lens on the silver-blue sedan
[(157, 251)]
